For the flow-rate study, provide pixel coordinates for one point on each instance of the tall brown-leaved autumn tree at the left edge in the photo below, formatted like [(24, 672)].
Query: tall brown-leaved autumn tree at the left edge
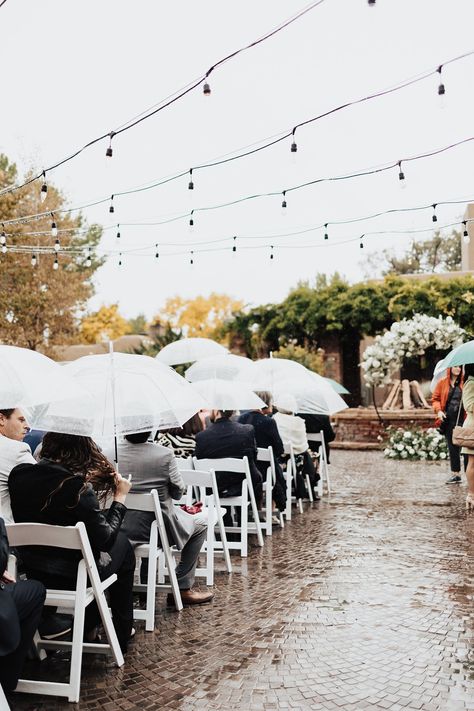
[(39, 306)]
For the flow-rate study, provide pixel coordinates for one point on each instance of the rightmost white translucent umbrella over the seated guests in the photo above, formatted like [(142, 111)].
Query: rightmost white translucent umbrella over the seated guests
[(314, 395)]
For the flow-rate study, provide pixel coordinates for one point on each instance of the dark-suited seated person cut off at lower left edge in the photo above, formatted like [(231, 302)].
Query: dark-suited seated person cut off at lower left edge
[(21, 604)]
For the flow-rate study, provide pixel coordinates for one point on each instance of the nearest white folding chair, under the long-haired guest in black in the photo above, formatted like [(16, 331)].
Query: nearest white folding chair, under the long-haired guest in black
[(71, 538)]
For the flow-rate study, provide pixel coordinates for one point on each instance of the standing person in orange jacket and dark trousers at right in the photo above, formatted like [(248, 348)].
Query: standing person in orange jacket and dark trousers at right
[(446, 402)]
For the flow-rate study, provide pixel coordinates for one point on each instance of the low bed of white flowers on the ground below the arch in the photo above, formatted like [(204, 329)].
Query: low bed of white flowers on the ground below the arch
[(416, 445)]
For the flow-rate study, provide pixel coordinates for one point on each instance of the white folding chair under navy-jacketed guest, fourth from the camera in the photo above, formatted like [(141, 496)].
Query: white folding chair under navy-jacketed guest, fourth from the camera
[(240, 466)]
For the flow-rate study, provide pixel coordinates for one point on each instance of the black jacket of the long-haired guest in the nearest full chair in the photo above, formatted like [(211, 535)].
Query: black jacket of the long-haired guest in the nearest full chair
[(32, 500)]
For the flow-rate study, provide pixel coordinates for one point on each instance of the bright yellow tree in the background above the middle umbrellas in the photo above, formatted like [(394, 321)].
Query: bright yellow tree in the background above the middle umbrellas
[(202, 316)]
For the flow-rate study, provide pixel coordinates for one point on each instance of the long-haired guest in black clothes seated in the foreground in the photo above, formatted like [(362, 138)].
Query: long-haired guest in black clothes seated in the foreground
[(63, 489)]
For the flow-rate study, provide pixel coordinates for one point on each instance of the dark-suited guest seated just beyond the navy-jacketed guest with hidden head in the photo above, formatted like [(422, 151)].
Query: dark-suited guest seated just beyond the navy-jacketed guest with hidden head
[(267, 435)]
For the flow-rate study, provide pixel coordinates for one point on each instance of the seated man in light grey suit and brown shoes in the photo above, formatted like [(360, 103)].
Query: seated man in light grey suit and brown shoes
[(154, 467)]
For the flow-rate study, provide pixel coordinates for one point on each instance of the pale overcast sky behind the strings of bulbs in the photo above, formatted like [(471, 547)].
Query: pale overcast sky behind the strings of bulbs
[(74, 70)]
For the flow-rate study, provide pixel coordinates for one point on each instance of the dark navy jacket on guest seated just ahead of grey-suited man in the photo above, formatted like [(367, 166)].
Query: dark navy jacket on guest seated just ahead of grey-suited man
[(230, 439)]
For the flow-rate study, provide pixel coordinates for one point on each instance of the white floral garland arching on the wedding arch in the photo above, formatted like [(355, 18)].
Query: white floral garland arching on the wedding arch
[(408, 338)]
